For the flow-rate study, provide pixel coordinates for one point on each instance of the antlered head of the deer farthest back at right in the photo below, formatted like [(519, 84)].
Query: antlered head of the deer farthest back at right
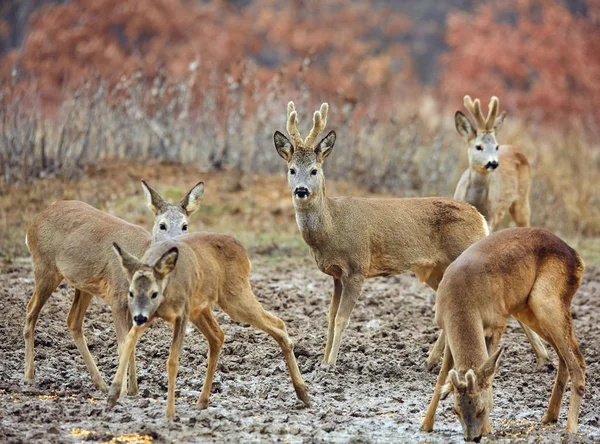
[(480, 136)]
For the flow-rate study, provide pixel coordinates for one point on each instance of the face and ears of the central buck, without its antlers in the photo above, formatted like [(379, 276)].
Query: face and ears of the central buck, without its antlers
[(305, 167)]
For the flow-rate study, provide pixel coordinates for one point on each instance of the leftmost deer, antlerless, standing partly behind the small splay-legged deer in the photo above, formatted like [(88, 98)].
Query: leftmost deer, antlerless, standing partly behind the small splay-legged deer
[(72, 240)]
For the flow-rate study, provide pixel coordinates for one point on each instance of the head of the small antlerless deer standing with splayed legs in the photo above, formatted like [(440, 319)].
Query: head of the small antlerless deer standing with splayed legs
[(147, 282)]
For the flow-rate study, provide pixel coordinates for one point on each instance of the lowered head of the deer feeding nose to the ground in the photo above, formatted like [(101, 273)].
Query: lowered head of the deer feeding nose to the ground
[(473, 397)]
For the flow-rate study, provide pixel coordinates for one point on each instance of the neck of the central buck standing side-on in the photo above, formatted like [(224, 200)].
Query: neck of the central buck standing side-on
[(314, 219)]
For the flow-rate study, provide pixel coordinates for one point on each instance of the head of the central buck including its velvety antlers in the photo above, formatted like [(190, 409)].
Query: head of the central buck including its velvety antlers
[(305, 157)]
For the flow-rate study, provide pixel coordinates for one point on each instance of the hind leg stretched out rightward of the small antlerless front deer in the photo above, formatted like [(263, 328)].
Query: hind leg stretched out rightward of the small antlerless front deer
[(244, 307)]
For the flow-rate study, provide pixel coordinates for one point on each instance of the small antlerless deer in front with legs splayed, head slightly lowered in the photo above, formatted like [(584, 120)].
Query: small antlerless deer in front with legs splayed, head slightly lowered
[(181, 279)]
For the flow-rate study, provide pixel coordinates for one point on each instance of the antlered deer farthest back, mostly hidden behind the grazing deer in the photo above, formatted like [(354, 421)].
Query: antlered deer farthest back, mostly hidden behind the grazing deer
[(497, 180)]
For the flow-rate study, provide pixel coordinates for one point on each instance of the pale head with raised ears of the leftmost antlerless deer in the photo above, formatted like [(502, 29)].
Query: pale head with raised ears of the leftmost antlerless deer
[(172, 220)]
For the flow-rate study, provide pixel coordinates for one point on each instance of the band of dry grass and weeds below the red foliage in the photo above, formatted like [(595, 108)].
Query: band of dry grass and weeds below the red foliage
[(410, 150)]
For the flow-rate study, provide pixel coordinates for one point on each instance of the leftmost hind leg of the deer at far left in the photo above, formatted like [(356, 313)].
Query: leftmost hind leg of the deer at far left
[(45, 283)]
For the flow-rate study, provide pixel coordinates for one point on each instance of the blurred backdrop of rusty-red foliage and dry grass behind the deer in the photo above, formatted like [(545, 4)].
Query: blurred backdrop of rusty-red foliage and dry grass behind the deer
[(206, 83)]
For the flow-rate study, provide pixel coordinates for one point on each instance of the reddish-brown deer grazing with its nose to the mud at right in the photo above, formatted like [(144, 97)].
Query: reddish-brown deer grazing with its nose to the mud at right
[(527, 273)]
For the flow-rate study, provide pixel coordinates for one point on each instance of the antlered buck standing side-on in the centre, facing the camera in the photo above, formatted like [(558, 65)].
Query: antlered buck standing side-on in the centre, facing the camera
[(353, 239)]
